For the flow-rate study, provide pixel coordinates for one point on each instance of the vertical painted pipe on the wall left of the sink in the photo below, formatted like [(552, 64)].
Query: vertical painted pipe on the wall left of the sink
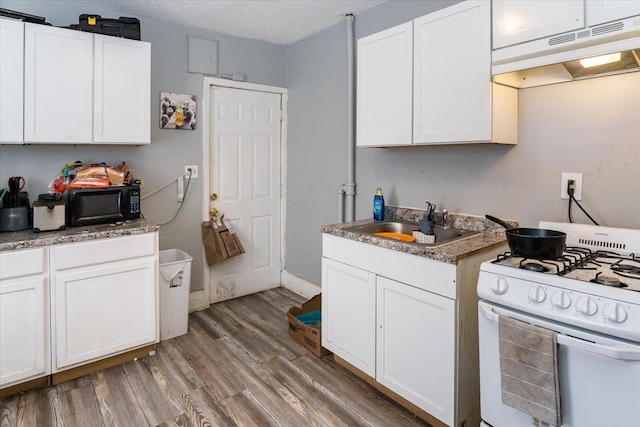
[(350, 186)]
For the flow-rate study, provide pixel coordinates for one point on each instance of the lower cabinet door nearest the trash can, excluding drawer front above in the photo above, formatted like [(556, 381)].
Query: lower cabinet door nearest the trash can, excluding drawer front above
[(103, 310)]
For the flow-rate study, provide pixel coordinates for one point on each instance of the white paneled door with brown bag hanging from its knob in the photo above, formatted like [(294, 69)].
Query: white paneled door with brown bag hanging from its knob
[(245, 162)]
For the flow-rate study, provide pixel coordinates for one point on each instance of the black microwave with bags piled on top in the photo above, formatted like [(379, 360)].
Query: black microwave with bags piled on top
[(87, 206)]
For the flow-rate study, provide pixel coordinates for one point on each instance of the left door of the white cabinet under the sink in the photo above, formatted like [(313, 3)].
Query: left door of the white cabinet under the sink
[(348, 314)]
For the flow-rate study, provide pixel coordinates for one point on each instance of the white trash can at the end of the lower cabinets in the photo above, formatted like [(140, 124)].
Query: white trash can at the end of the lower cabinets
[(175, 281)]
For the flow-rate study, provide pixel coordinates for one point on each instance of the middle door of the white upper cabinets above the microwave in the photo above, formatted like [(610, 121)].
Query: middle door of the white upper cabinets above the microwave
[(58, 85)]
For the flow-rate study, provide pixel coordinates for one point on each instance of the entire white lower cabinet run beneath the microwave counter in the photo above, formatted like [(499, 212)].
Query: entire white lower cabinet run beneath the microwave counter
[(66, 305)]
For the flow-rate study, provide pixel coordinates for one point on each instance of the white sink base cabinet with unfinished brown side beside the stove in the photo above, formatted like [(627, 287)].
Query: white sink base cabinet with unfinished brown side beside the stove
[(408, 322)]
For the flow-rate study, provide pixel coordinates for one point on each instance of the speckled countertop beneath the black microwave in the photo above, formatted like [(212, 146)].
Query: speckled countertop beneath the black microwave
[(28, 239)]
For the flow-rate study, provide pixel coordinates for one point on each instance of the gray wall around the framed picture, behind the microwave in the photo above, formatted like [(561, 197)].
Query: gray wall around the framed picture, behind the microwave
[(170, 149)]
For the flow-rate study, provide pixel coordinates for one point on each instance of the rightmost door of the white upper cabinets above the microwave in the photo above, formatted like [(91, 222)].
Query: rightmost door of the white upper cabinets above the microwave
[(122, 91)]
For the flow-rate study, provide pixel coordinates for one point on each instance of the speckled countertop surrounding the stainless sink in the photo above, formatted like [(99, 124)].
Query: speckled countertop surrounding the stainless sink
[(491, 234)]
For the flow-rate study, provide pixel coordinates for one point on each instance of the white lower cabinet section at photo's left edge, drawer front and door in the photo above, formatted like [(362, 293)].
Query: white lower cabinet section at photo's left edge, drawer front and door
[(24, 317)]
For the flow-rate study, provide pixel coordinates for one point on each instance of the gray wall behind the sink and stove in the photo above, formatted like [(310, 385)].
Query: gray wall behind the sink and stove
[(590, 127)]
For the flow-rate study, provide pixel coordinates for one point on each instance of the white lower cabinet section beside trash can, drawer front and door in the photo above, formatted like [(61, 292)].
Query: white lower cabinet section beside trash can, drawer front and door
[(104, 298)]
